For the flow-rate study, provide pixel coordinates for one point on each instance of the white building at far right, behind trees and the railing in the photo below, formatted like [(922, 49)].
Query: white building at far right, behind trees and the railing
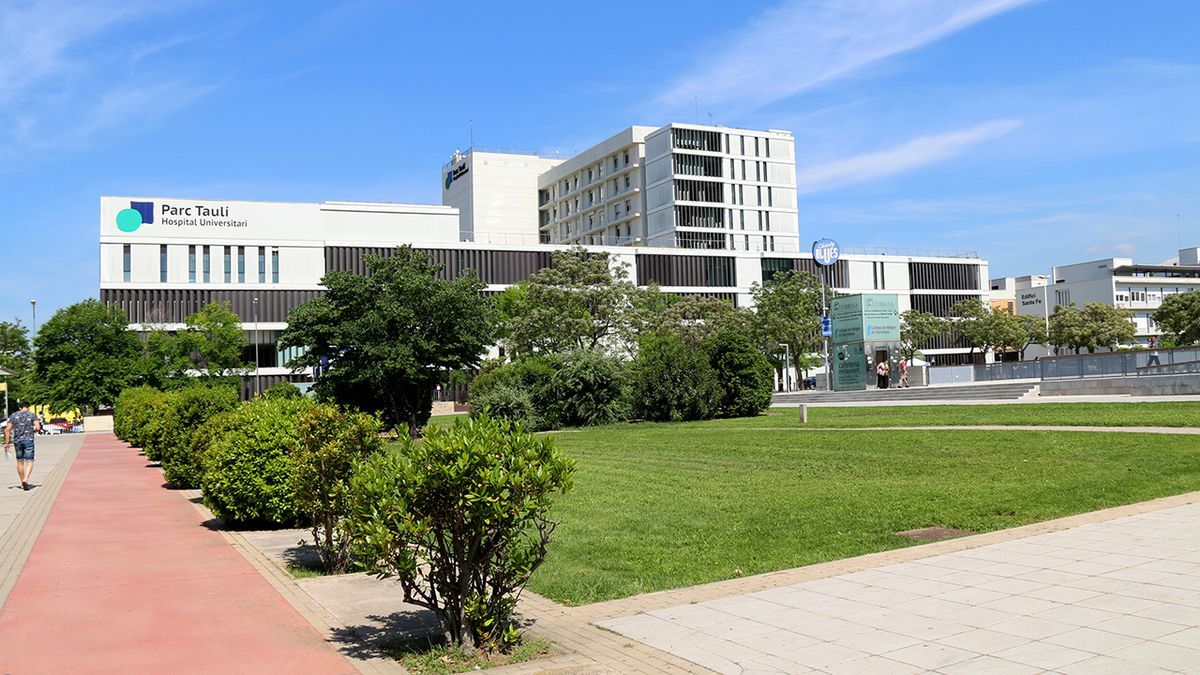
[(1118, 283)]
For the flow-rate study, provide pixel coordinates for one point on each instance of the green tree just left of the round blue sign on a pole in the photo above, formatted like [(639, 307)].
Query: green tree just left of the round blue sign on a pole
[(788, 312)]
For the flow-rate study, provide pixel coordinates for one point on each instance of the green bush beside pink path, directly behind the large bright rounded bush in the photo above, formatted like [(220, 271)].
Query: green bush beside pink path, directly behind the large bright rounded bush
[(185, 413)]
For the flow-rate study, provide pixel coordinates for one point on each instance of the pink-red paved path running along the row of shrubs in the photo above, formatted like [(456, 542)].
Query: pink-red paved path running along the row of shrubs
[(125, 578)]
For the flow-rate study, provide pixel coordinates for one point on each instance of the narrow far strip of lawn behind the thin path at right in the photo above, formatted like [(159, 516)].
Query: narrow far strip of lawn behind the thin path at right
[(1166, 414)]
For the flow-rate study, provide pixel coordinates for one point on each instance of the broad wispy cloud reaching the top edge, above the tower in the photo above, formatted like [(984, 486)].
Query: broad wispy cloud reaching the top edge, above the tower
[(802, 45)]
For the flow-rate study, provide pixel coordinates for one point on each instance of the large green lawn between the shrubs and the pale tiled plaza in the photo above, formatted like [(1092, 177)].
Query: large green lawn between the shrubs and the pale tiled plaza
[(665, 506)]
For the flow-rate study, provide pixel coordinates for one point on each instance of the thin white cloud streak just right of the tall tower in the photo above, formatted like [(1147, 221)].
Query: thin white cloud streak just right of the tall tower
[(913, 154)]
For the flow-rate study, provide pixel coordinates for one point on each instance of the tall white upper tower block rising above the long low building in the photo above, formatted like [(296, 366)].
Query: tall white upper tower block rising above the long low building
[(687, 187)]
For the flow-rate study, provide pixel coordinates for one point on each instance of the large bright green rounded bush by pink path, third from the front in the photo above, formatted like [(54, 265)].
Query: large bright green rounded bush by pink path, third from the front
[(248, 468)]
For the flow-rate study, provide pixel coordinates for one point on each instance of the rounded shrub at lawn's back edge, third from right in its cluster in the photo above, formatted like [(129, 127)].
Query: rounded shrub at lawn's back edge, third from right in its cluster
[(587, 389)]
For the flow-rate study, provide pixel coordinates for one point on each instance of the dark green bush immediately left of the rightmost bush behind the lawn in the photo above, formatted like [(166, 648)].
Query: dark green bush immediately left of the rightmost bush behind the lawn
[(673, 383)]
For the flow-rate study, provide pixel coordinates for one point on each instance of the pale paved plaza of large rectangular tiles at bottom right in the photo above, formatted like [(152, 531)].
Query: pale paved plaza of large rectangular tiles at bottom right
[(1121, 596)]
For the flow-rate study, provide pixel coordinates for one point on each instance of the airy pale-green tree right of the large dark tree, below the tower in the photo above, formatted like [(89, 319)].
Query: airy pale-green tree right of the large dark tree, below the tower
[(581, 302)]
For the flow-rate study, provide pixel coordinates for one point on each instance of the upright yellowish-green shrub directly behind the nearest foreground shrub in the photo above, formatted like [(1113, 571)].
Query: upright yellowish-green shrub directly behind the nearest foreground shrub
[(333, 443)]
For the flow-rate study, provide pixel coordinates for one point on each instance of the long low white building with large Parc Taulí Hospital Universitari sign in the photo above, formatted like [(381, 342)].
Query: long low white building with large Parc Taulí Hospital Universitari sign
[(165, 259)]
